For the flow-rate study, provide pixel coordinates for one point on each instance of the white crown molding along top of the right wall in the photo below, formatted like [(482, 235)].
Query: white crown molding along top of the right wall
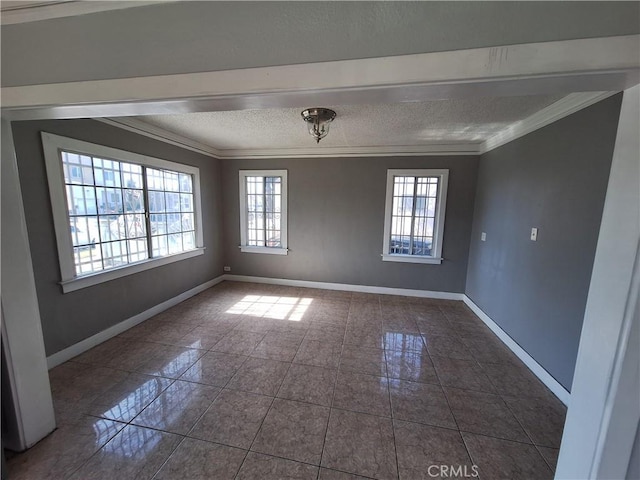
[(554, 112)]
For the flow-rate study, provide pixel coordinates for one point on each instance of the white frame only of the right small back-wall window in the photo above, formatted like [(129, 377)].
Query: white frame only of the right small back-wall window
[(436, 248)]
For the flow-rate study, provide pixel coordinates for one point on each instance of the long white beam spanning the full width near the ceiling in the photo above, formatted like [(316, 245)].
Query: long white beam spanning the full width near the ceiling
[(595, 64)]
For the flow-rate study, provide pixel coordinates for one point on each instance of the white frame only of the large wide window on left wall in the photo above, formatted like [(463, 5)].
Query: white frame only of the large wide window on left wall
[(53, 145)]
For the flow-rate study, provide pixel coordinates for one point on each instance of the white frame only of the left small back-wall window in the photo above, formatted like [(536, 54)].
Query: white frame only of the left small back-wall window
[(243, 174)]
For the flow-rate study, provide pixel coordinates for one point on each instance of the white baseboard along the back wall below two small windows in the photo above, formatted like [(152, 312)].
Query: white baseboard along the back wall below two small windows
[(347, 287)]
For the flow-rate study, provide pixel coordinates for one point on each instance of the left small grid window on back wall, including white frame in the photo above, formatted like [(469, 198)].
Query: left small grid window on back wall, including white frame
[(263, 207)]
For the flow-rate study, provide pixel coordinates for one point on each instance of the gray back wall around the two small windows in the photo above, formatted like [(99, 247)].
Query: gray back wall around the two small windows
[(336, 221)]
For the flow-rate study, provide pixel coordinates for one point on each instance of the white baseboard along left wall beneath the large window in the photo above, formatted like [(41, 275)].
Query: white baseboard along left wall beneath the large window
[(84, 345)]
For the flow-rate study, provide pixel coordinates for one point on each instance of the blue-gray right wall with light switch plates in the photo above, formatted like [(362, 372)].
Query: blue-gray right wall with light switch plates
[(554, 179)]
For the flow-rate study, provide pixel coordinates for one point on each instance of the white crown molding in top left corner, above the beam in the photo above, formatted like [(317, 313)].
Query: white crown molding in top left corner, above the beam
[(24, 12)]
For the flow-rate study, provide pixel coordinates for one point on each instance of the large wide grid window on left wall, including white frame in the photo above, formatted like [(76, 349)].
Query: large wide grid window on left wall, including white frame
[(115, 209)]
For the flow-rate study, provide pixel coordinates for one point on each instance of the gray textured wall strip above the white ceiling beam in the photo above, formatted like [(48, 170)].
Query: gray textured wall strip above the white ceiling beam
[(208, 36)]
